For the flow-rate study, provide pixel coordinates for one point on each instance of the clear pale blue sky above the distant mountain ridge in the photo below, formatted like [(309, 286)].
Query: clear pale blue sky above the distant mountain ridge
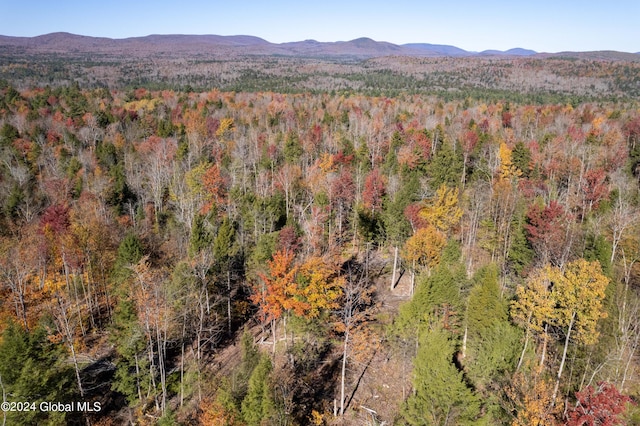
[(542, 25)]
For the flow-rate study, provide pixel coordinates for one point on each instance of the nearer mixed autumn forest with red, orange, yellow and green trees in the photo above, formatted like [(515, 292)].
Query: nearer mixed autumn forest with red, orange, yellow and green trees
[(260, 258)]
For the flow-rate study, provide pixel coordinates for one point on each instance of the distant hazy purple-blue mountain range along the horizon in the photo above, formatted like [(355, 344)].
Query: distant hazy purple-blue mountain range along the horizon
[(249, 45)]
